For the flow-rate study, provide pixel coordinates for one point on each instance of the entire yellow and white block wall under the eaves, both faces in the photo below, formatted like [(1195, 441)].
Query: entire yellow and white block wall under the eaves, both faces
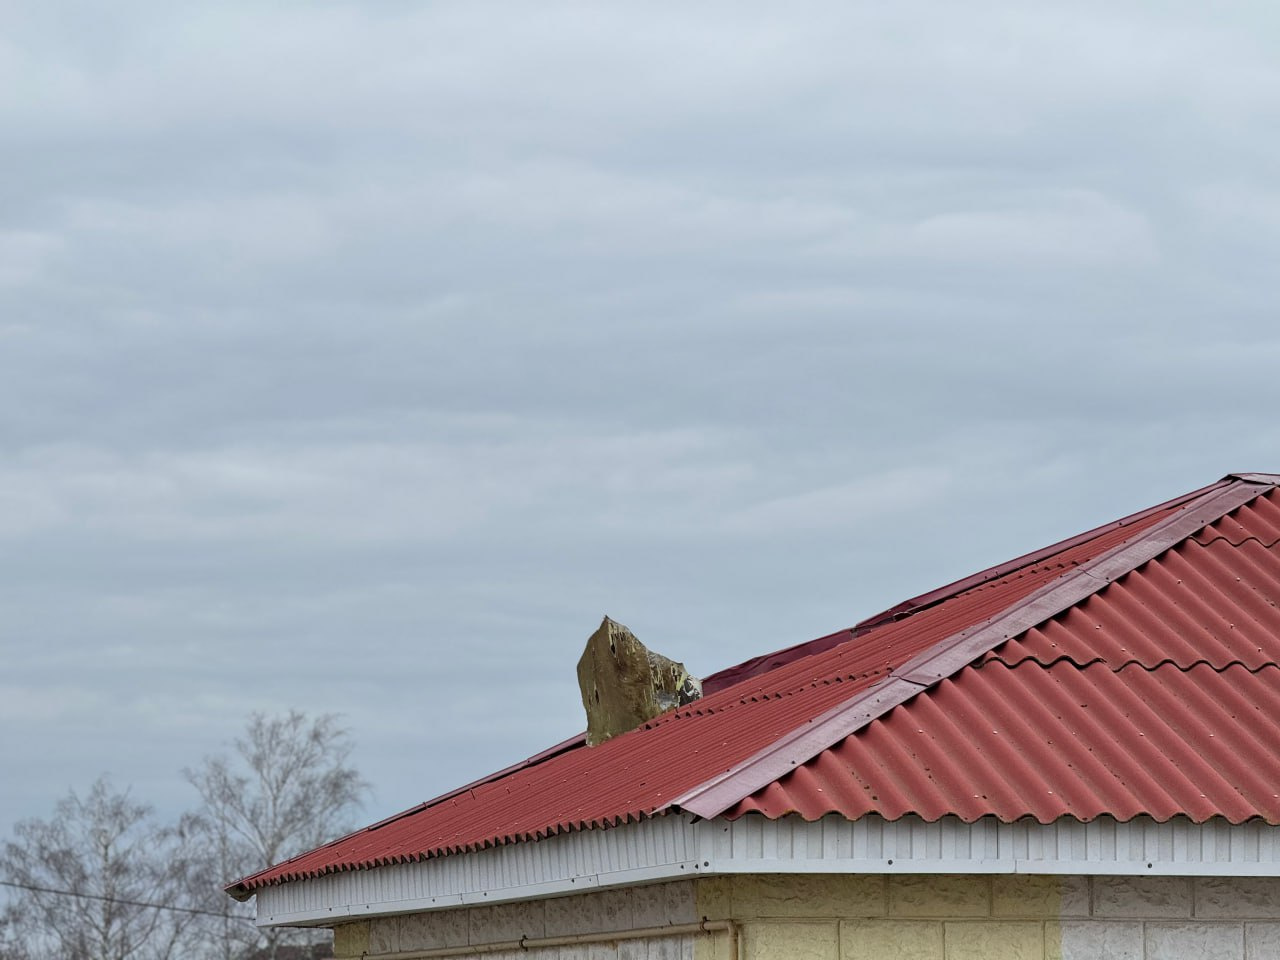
[(909, 917)]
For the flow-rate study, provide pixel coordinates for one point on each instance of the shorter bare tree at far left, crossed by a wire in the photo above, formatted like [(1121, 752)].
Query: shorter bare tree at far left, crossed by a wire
[(85, 880)]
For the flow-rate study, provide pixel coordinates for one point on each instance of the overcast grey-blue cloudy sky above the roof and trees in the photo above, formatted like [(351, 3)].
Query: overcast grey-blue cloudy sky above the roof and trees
[(360, 356)]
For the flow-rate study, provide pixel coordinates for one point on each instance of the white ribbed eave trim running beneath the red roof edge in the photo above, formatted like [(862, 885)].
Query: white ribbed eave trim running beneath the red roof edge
[(678, 848)]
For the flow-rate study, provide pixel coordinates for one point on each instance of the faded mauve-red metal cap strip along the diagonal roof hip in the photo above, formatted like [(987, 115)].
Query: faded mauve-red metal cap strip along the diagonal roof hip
[(952, 655)]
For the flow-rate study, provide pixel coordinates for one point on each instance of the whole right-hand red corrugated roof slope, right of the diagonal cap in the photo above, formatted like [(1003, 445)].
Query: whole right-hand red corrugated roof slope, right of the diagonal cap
[(1160, 696)]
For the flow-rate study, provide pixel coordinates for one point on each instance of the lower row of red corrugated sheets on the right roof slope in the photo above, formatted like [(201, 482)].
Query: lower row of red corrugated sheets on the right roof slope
[(1057, 742)]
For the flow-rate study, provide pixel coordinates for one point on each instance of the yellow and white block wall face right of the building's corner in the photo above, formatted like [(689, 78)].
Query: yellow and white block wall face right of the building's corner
[(1000, 917)]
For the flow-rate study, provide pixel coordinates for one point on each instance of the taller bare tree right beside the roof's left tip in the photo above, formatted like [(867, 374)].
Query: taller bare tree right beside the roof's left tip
[(286, 788)]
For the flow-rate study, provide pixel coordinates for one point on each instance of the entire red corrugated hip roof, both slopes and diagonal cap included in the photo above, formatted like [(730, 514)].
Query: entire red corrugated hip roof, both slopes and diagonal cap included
[(1145, 680)]
